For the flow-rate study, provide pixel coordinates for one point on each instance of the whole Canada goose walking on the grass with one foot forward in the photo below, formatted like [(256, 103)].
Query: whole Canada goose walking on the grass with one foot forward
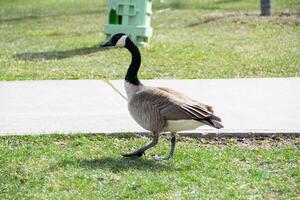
[(159, 109)]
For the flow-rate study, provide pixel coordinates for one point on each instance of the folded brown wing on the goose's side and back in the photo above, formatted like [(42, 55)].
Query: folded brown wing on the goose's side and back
[(173, 105)]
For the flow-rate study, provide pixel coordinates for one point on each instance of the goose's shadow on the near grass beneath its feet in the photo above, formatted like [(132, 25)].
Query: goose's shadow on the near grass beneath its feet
[(121, 164)]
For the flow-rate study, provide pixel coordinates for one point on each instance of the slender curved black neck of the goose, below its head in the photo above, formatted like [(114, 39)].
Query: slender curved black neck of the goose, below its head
[(131, 75)]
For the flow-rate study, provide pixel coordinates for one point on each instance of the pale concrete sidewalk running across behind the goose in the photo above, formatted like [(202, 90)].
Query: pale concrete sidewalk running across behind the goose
[(247, 106)]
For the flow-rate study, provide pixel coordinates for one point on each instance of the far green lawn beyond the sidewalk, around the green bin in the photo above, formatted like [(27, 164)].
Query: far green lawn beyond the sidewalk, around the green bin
[(211, 39)]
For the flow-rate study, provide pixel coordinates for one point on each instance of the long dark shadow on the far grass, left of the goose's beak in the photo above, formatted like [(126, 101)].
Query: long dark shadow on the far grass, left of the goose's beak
[(58, 55)]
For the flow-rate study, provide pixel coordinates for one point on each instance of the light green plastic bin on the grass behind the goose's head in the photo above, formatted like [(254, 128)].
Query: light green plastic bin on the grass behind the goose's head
[(131, 17)]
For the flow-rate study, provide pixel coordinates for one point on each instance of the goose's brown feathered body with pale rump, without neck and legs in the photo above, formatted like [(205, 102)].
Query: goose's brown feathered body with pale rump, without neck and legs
[(157, 108)]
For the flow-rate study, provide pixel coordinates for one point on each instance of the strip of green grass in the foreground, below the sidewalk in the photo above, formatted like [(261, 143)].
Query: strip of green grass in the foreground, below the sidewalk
[(90, 167)]
